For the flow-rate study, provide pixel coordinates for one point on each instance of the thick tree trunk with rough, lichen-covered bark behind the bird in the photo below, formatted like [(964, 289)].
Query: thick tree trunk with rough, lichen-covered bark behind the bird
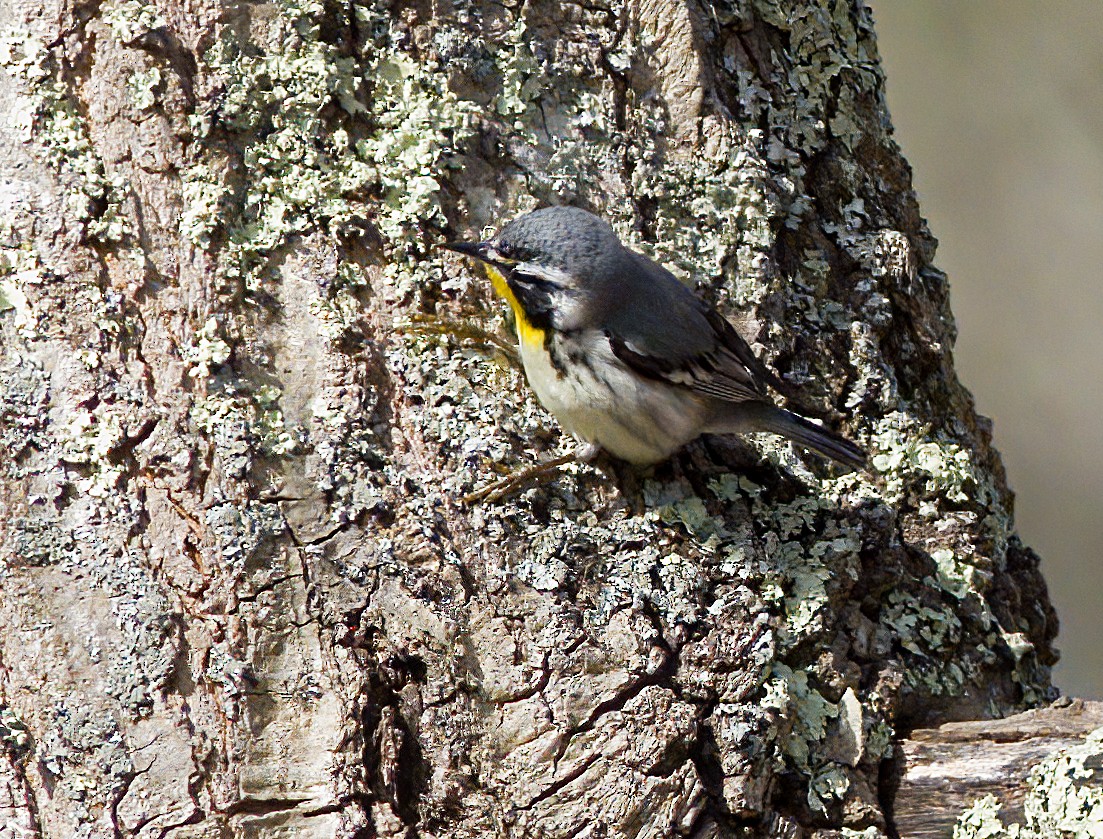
[(242, 393)]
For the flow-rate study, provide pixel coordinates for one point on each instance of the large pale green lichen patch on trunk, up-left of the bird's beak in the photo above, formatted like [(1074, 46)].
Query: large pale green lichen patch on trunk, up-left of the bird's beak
[(304, 175)]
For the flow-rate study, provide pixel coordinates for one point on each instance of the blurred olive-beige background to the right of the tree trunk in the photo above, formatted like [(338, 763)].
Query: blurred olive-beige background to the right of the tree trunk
[(999, 107)]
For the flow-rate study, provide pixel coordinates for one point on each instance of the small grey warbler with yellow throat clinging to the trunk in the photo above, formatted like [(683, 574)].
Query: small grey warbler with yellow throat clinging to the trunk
[(625, 357)]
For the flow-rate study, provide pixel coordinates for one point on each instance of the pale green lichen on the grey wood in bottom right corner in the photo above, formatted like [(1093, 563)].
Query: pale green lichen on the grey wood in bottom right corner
[(1064, 801)]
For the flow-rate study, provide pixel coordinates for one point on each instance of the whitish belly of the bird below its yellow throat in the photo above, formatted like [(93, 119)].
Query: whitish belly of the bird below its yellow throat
[(605, 403)]
